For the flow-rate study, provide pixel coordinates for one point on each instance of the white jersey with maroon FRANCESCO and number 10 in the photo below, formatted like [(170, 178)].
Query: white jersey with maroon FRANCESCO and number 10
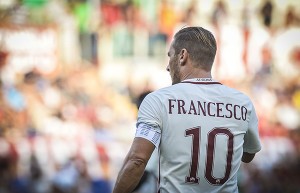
[(201, 128)]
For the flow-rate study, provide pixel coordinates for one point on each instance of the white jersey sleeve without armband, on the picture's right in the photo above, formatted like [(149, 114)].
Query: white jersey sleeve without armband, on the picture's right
[(251, 138)]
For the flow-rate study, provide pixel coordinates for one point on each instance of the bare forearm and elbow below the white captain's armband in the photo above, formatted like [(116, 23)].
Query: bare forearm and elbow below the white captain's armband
[(134, 165)]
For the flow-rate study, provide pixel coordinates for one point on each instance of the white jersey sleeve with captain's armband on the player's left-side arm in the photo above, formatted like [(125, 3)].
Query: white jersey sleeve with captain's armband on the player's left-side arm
[(149, 121)]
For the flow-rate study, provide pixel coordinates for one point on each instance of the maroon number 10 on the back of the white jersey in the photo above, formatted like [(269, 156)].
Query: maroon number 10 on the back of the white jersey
[(211, 138)]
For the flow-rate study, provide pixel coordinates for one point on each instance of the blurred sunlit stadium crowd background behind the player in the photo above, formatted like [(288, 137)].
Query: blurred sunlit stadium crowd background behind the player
[(73, 72)]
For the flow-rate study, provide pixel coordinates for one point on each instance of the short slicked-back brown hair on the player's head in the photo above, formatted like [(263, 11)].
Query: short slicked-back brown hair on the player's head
[(200, 44)]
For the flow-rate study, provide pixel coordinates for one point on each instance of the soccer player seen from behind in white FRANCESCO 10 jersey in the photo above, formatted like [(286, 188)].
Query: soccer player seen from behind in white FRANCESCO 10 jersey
[(203, 129)]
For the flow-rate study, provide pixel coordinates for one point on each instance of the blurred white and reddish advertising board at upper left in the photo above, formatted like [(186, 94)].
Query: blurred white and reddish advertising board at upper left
[(30, 47)]
